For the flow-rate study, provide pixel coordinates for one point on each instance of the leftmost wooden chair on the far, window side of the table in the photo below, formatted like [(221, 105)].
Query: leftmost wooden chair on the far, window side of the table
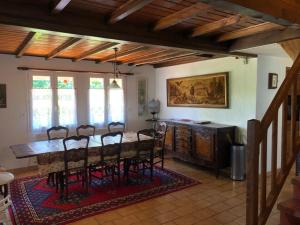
[(54, 133)]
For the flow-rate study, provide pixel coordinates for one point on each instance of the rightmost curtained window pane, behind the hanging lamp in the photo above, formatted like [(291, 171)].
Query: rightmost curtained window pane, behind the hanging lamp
[(116, 102)]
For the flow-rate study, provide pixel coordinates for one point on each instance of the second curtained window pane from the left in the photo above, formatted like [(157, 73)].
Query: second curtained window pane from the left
[(66, 101)]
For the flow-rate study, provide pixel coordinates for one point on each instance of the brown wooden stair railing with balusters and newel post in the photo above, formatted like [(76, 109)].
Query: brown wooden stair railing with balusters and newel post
[(263, 190)]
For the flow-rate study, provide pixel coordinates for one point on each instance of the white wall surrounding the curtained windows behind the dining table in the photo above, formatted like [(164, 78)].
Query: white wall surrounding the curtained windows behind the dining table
[(14, 118)]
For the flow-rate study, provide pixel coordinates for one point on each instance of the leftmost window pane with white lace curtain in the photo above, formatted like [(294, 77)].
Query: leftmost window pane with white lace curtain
[(41, 103)]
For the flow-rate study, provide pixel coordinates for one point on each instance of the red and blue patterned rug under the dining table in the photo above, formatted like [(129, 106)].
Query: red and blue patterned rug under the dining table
[(34, 202)]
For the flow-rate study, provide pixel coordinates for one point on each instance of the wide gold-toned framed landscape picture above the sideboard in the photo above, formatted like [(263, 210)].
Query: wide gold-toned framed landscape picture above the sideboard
[(203, 91)]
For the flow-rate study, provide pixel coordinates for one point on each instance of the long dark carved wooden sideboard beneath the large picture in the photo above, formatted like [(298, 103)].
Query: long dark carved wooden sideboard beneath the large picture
[(202, 144)]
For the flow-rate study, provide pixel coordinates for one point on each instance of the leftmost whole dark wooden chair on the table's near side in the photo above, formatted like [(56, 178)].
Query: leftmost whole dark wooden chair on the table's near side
[(75, 159)]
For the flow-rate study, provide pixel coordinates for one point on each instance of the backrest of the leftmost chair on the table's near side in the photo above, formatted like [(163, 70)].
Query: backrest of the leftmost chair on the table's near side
[(76, 149)]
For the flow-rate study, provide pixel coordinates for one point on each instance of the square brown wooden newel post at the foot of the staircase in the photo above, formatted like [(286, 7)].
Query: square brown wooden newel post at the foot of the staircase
[(253, 135)]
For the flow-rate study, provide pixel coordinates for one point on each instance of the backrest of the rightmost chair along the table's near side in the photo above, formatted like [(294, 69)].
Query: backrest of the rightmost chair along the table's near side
[(145, 146)]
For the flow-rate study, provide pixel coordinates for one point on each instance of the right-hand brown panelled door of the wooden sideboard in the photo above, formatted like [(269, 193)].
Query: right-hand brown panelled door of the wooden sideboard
[(203, 144)]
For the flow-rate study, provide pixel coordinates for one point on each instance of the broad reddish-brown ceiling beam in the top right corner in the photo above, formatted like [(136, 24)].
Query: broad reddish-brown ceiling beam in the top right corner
[(284, 9)]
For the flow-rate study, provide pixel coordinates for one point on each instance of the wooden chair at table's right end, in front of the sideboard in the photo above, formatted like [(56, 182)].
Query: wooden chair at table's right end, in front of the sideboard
[(161, 129)]
